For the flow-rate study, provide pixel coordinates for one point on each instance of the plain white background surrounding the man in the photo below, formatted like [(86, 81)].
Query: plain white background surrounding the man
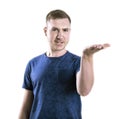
[(22, 37)]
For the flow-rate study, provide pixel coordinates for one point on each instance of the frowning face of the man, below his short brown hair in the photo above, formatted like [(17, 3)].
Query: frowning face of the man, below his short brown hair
[(58, 33)]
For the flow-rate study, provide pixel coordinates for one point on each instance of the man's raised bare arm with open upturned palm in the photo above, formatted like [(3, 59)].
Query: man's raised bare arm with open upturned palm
[(85, 77)]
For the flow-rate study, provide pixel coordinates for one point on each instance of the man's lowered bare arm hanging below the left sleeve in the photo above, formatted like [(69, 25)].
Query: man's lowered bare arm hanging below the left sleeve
[(26, 105)]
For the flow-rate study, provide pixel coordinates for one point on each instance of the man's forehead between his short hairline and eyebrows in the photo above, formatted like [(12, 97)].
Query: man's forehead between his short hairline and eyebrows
[(59, 23)]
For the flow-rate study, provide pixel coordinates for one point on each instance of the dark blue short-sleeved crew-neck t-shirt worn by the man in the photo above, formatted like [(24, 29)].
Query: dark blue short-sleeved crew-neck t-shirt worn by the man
[(53, 82)]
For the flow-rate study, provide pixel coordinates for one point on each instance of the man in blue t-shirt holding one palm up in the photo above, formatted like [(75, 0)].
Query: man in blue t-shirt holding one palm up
[(55, 81)]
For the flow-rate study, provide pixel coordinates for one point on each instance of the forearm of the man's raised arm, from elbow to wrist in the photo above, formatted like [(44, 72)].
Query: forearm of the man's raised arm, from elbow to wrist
[(85, 77)]
